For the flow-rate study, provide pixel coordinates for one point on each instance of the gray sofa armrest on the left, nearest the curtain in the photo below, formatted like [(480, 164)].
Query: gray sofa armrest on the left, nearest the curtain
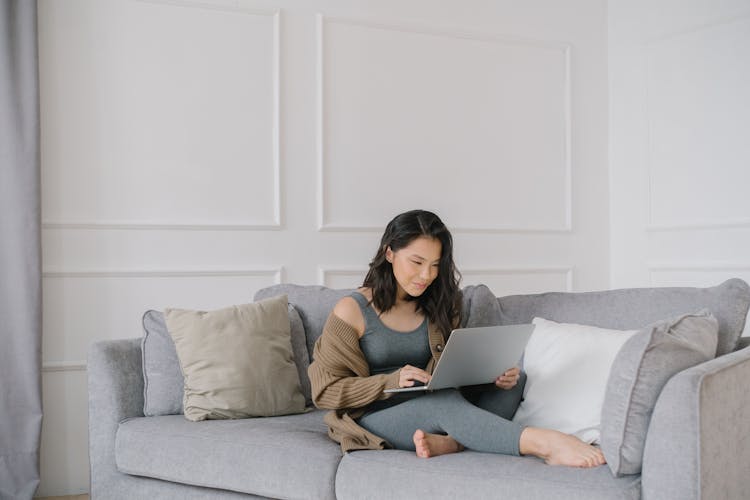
[(115, 383)]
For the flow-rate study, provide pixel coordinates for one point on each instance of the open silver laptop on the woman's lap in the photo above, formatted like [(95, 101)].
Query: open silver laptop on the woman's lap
[(476, 356)]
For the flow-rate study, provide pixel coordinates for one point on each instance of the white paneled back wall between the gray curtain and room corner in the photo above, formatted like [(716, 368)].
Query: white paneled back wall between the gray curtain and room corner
[(194, 152)]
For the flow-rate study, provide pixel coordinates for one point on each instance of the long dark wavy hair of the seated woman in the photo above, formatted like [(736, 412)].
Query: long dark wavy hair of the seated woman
[(441, 301)]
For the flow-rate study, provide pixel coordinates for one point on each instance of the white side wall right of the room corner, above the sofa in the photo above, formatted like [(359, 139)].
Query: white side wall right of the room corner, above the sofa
[(679, 74)]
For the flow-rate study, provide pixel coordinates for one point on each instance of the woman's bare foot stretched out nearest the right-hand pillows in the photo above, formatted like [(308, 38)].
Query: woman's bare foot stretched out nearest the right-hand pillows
[(557, 448)]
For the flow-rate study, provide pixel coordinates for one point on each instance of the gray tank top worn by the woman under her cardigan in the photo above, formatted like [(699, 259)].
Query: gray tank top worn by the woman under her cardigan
[(387, 350)]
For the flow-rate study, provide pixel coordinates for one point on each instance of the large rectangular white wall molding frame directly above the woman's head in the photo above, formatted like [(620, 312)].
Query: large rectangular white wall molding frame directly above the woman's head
[(324, 217)]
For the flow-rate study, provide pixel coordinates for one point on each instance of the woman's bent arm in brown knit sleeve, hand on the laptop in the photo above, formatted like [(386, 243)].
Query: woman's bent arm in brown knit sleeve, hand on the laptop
[(339, 374)]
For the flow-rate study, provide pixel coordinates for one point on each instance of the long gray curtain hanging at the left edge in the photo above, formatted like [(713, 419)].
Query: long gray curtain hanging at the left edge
[(20, 252)]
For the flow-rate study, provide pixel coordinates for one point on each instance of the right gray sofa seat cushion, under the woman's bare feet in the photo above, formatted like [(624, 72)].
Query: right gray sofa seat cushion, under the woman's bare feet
[(400, 474)]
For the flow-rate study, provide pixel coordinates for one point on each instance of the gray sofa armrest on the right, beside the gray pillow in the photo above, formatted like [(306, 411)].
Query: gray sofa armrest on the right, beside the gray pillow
[(698, 442)]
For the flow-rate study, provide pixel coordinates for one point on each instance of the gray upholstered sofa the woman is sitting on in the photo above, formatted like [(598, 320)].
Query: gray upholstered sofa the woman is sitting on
[(697, 446)]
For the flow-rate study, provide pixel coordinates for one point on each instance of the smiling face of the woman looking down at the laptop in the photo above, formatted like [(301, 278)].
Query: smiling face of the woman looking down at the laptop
[(415, 266)]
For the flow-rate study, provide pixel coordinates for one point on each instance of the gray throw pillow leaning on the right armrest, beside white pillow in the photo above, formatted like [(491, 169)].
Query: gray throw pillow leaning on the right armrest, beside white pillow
[(641, 369)]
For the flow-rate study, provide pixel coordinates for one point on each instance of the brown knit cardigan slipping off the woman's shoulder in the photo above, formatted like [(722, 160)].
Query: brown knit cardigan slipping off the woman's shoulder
[(341, 381)]
